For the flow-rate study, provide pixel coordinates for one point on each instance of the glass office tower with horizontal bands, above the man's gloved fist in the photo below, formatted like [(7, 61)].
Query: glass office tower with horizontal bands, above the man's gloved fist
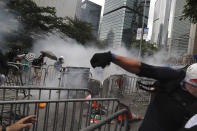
[(121, 20)]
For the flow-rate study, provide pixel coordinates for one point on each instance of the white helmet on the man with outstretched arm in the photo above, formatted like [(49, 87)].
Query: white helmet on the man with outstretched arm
[(191, 75)]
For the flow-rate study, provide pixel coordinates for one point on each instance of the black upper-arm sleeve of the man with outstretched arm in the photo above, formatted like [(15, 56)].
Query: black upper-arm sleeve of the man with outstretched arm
[(160, 73)]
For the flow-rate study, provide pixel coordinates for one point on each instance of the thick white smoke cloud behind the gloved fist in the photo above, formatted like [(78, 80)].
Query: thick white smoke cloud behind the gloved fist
[(76, 55)]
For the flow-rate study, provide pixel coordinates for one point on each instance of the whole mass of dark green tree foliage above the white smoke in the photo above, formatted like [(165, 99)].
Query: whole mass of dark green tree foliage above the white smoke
[(35, 20)]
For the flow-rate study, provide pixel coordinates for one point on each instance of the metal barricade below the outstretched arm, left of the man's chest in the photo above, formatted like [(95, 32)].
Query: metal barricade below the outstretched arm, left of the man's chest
[(119, 85)]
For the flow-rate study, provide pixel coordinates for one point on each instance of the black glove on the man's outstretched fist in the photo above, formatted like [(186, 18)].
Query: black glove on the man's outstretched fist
[(101, 59)]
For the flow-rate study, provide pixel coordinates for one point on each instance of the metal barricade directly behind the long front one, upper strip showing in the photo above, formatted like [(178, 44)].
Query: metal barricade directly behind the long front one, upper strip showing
[(41, 93)]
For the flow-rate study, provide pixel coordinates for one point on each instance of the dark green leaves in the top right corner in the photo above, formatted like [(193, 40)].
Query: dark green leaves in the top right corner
[(190, 11)]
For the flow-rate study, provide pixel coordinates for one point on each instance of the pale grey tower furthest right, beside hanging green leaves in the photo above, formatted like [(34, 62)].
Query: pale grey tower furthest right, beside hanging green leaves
[(179, 30)]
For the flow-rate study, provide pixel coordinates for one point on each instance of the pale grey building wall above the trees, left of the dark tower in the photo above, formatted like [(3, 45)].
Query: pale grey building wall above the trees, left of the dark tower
[(70, 8)]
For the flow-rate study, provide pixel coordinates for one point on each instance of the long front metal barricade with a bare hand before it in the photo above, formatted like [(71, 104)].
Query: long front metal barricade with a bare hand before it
[(60, 115)]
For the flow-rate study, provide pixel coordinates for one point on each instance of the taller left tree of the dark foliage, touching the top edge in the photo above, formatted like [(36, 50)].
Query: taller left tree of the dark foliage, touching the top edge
[(34, 18)]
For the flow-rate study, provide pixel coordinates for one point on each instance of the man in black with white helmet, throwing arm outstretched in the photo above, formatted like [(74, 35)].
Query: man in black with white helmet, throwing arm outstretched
[(175, 99)]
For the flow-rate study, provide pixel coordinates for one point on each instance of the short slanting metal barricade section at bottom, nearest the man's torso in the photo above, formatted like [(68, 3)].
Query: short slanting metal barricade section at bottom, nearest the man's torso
[(119, 125)]
